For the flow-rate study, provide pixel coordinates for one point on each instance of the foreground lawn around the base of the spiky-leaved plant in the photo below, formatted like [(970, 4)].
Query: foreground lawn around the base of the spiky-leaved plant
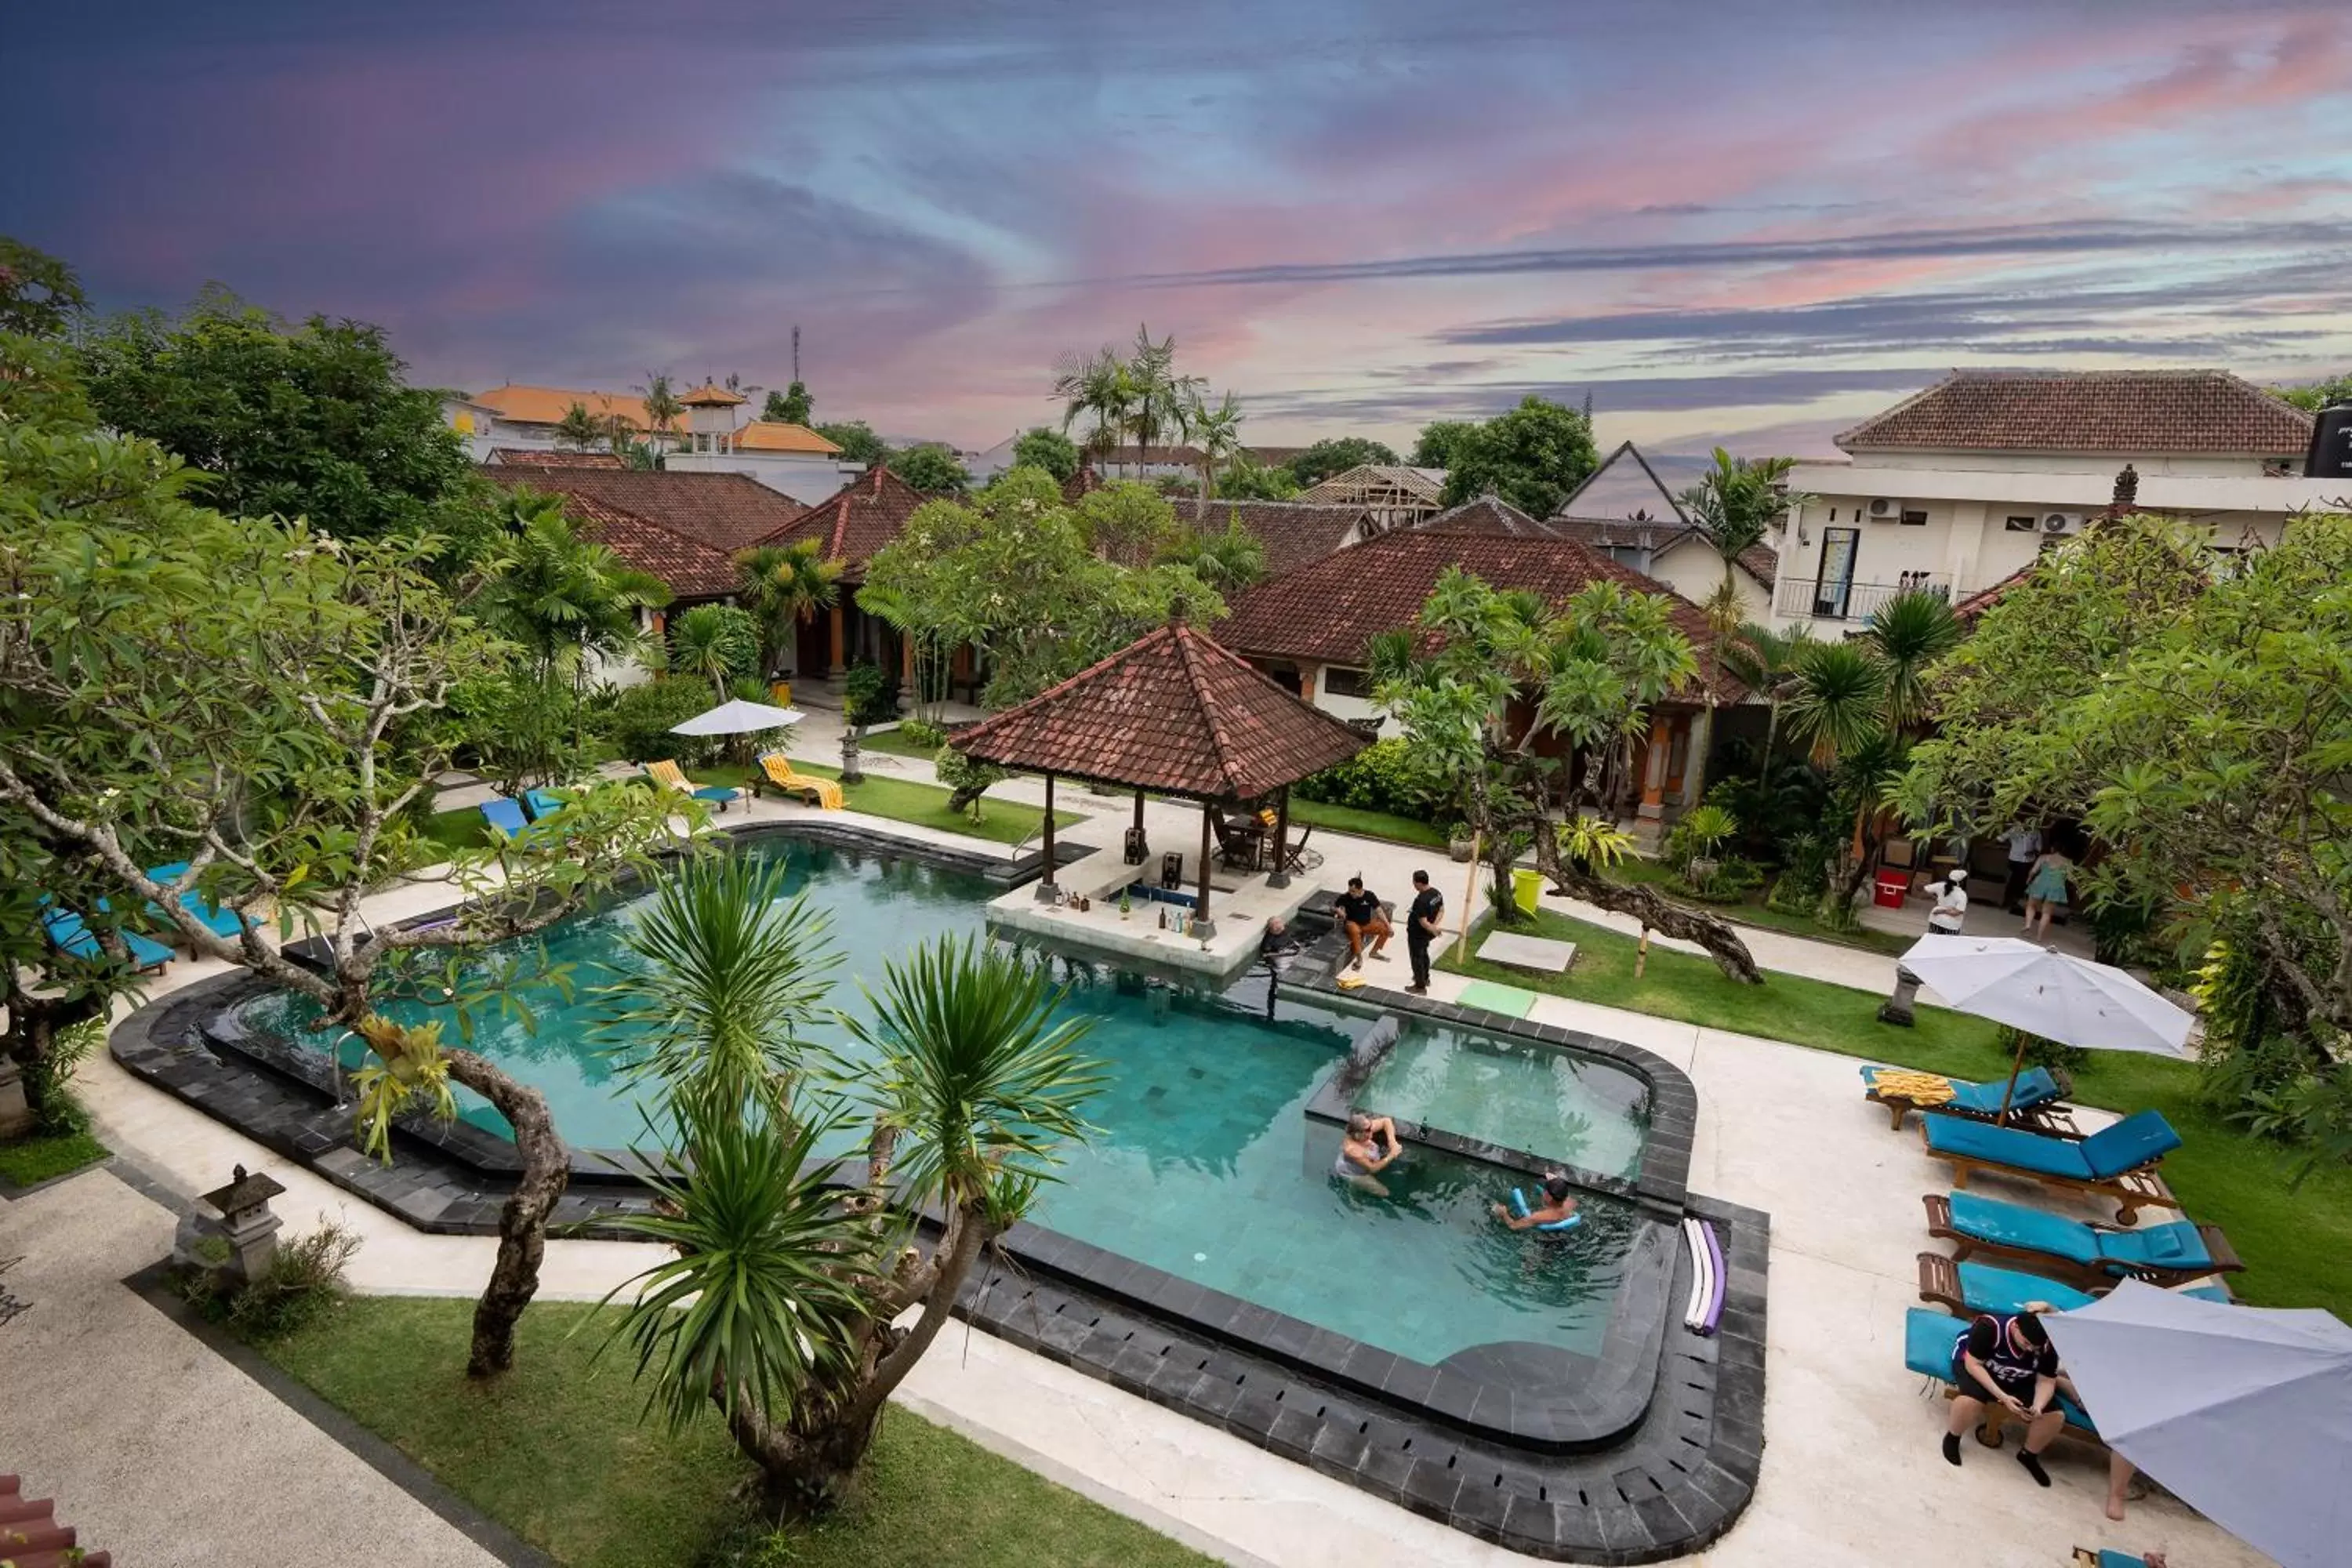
[(559, 1454)]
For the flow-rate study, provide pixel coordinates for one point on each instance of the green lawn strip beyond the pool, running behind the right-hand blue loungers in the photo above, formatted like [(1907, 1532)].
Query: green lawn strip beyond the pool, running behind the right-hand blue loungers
[(2297, 1245)]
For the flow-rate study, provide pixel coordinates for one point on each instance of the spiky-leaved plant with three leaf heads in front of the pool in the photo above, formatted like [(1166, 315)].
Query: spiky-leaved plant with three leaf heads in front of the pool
[(782, 1308)]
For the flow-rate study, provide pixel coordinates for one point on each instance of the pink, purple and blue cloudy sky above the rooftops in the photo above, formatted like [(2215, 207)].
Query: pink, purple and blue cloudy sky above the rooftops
[(1723, 220)]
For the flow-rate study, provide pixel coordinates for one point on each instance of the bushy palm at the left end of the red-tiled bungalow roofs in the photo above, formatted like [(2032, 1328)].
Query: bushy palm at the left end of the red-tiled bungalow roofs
[(568, 601)]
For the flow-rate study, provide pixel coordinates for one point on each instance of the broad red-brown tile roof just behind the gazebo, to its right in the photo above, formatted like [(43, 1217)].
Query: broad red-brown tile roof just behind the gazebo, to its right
[(1330, 610)]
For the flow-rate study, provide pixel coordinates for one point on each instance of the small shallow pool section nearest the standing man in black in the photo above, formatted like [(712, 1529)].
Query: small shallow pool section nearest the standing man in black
[(1516, 1094)]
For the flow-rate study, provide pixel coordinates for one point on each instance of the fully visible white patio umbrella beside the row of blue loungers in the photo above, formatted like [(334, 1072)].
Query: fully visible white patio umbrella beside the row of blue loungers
[(2047, 993)]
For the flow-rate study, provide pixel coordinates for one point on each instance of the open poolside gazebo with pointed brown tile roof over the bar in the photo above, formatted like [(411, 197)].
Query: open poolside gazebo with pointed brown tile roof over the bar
[(1172, 713)]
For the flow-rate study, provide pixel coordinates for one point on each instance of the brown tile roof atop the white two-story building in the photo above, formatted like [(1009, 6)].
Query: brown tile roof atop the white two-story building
[(2130, 413)]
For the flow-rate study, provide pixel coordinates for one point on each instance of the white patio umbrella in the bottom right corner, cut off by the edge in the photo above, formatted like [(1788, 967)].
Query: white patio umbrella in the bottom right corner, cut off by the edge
[(2240, 1412)]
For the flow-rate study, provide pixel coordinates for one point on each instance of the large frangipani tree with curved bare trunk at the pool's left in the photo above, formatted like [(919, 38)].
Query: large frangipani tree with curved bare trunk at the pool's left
[(267, 709)]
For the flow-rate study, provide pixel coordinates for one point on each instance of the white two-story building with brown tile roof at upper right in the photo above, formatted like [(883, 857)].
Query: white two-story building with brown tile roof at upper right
[(1965, 483)]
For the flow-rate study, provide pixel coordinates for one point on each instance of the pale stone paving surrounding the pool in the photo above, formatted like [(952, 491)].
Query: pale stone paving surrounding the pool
[(1852, 1475)]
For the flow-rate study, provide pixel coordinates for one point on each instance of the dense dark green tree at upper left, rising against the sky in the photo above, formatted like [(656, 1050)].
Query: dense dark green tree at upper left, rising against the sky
[(295, 422)]
